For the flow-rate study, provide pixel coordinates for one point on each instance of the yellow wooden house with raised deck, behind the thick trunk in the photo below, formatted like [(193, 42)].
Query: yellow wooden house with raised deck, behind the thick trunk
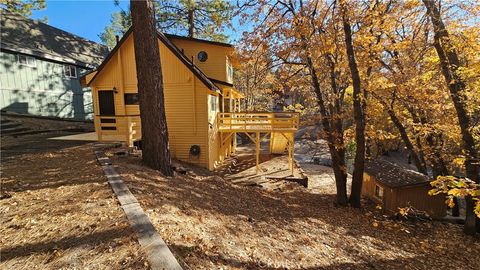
[(202, 107)]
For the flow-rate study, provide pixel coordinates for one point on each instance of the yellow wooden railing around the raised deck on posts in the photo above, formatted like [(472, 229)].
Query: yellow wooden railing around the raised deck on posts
[(258, 122)]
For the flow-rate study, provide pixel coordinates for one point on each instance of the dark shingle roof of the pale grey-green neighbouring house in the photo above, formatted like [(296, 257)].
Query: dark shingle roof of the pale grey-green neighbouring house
[(23, 35)]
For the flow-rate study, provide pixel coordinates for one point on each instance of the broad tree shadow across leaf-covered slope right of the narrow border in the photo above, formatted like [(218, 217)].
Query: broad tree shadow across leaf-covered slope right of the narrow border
[(282, 212)]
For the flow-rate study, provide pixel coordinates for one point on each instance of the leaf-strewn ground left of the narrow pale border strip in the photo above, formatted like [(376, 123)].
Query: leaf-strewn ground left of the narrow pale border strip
[(57, 210)]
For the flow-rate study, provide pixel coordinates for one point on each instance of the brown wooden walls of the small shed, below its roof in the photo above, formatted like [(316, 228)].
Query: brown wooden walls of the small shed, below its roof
[(415, 196)]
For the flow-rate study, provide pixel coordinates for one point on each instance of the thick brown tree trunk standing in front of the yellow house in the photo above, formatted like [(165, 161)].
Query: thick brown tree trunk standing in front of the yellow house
[(155, 149)]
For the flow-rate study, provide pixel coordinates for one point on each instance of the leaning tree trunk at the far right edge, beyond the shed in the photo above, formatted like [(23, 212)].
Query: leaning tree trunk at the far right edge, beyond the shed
[(450, 63)]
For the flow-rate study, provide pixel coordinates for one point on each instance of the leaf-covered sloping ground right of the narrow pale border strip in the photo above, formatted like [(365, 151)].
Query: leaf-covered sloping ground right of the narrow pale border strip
[(210, 223)]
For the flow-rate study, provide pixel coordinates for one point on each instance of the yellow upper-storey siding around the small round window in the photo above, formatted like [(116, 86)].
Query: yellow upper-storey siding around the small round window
[(216, 64)]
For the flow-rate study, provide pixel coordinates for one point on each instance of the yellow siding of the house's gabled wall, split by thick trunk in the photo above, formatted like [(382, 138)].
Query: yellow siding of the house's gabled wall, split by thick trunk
[(186, 101)]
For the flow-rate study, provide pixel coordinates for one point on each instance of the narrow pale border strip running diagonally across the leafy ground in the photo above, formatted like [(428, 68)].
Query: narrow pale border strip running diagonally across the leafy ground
[(158, 254)]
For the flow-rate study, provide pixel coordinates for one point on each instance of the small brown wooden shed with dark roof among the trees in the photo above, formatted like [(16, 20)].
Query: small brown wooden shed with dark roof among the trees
[(394, 187)]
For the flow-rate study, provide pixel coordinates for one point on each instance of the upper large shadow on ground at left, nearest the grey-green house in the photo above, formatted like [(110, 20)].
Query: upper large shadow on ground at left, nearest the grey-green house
[(46, 166)]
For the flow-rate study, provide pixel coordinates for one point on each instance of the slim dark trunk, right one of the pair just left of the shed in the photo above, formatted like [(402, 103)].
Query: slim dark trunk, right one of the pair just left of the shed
[(358, 114)]
